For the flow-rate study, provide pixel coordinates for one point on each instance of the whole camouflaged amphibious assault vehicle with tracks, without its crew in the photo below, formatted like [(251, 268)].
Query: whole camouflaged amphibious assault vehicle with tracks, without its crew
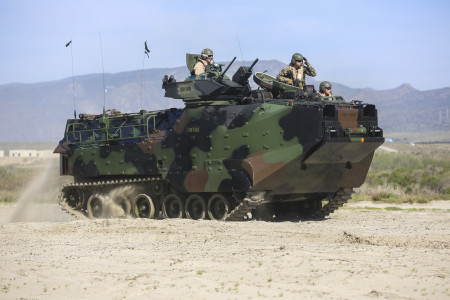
[(231, 153)]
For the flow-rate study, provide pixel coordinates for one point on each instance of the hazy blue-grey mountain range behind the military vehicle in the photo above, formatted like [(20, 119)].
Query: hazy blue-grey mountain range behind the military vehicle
[(38, 112)]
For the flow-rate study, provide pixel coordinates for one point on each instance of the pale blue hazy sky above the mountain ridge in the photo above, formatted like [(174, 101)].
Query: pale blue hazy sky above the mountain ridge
[(378, 44)]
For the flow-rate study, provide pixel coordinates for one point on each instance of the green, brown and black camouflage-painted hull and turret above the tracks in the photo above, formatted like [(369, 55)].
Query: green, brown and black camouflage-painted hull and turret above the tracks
[(220, 143)]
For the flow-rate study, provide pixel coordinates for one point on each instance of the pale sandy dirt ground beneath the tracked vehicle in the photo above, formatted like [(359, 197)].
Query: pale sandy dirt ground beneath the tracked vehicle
[(358, 253)]
